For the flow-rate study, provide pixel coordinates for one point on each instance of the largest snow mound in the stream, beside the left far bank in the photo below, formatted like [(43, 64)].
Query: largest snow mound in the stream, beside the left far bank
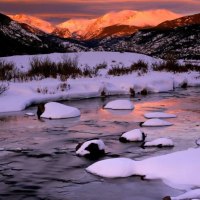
[(56, 110)]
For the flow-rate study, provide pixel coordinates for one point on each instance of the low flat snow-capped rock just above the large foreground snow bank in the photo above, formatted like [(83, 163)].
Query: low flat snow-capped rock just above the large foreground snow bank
[(160, 142)]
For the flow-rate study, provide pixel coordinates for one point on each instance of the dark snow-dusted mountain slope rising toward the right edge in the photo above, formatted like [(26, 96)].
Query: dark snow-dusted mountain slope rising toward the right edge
[(180, 40)]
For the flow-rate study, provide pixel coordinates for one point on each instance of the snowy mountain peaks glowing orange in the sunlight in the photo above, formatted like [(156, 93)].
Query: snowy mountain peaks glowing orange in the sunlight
[(87, 29)]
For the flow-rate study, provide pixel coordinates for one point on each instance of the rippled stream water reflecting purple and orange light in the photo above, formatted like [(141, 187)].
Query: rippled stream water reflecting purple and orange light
[(38, 161)]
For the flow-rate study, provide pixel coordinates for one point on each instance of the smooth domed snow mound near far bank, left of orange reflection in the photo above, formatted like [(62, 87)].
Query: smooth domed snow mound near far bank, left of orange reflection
[(120, 105)]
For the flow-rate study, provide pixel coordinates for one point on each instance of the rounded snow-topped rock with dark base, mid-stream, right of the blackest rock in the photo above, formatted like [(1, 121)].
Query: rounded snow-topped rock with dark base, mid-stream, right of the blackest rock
[(135, 135)]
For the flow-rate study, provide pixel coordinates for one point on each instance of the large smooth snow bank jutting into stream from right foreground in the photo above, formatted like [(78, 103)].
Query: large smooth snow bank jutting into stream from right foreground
[(179, 170)]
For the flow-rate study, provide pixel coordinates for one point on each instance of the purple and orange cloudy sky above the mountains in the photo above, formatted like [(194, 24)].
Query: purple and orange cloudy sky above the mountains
[(57, 11)]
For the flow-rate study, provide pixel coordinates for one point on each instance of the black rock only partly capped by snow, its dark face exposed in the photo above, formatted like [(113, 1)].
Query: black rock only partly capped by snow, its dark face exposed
[(91, 149)]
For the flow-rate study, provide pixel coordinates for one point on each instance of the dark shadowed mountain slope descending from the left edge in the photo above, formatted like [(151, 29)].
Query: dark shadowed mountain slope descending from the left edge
[(16, 38)]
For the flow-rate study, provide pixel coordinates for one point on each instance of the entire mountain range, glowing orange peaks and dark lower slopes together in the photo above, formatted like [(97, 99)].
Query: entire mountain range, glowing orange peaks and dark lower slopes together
[(156, 33)]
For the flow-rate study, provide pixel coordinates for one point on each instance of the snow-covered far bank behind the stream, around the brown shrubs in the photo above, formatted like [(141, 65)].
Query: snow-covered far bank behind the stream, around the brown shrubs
[(22, 94)]
